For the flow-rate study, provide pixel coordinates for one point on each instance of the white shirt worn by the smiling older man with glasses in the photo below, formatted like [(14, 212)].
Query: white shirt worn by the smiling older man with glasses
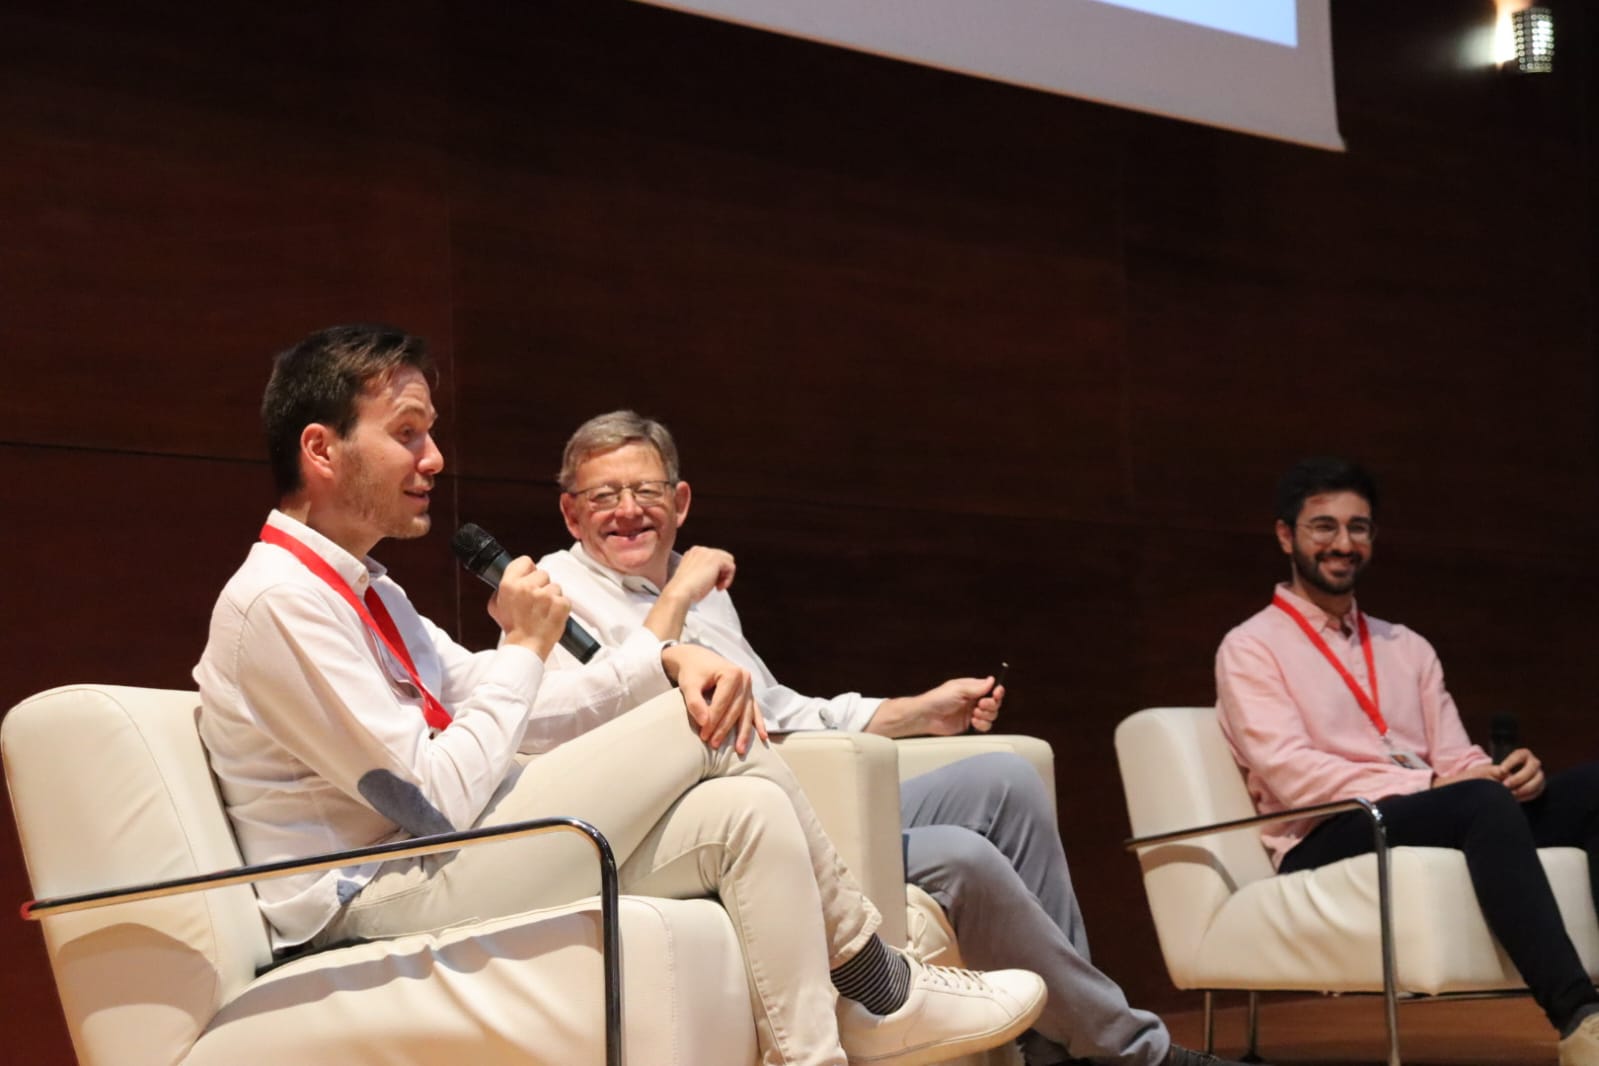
[(613, 607)]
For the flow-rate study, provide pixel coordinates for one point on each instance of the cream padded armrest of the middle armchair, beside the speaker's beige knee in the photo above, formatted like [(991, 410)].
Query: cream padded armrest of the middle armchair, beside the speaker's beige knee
[(853, 784)]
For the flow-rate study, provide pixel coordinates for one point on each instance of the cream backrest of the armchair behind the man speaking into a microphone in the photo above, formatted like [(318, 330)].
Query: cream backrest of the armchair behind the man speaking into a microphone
[(111, 789)]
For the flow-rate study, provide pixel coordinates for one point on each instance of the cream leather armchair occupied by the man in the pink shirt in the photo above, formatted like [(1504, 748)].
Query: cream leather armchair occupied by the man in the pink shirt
[(1227, 921)]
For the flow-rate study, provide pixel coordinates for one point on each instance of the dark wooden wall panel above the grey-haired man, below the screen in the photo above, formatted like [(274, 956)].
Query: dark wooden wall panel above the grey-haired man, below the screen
[(845, 309)]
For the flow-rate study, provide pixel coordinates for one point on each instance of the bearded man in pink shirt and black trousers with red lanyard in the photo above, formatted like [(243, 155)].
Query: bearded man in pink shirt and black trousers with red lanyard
[(1323, 702)]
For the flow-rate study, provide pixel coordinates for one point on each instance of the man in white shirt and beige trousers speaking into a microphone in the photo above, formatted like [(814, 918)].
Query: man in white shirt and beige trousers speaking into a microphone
[(337, 717)]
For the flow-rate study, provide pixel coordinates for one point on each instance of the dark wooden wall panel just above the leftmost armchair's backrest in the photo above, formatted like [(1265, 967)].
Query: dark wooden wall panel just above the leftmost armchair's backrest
[(110, 581)]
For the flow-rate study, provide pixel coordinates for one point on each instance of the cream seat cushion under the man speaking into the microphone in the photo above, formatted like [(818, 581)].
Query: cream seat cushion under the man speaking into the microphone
[(512, 992)]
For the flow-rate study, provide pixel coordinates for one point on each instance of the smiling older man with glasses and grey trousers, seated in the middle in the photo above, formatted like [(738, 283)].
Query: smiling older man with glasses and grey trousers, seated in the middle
[(979, 835)]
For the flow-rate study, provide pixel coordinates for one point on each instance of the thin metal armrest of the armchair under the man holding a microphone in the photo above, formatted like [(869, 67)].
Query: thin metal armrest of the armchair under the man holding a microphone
[(610, 917)]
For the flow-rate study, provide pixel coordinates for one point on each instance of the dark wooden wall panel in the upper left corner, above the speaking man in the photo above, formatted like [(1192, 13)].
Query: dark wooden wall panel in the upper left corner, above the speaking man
[(188, 191)]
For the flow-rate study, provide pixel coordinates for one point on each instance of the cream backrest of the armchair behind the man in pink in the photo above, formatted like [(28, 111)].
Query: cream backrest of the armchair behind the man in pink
[(1179, 773)]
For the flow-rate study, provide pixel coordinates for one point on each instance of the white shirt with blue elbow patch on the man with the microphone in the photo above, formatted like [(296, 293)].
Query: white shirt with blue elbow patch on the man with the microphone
[(317, 734)]
